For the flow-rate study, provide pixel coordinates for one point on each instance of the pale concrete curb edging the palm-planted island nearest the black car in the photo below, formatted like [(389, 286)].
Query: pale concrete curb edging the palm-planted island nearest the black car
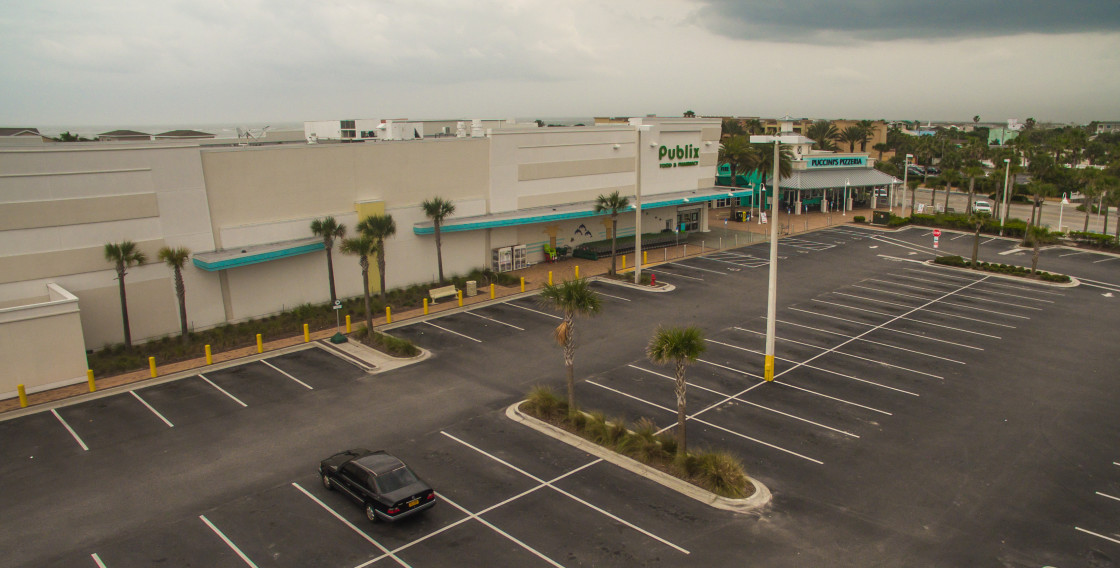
[(760, 499)]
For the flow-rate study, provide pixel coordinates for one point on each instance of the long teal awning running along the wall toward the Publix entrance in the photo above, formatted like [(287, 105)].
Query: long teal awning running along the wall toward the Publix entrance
[(575, 211)]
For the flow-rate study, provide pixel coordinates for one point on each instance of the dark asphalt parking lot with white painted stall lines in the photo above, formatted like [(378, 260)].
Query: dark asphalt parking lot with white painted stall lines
[(919, 416)]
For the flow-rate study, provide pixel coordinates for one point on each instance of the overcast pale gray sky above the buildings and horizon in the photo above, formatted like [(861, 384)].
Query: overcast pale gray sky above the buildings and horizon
[(207, 62)]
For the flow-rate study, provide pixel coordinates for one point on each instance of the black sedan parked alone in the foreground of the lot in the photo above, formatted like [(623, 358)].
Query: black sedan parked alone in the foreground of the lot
[(379, 482)]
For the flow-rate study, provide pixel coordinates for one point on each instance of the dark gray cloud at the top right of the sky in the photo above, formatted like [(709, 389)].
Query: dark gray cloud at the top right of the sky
[(830, 22)]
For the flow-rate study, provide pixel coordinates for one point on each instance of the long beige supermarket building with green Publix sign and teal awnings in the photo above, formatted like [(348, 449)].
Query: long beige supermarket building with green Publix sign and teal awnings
[(245, 212)]
